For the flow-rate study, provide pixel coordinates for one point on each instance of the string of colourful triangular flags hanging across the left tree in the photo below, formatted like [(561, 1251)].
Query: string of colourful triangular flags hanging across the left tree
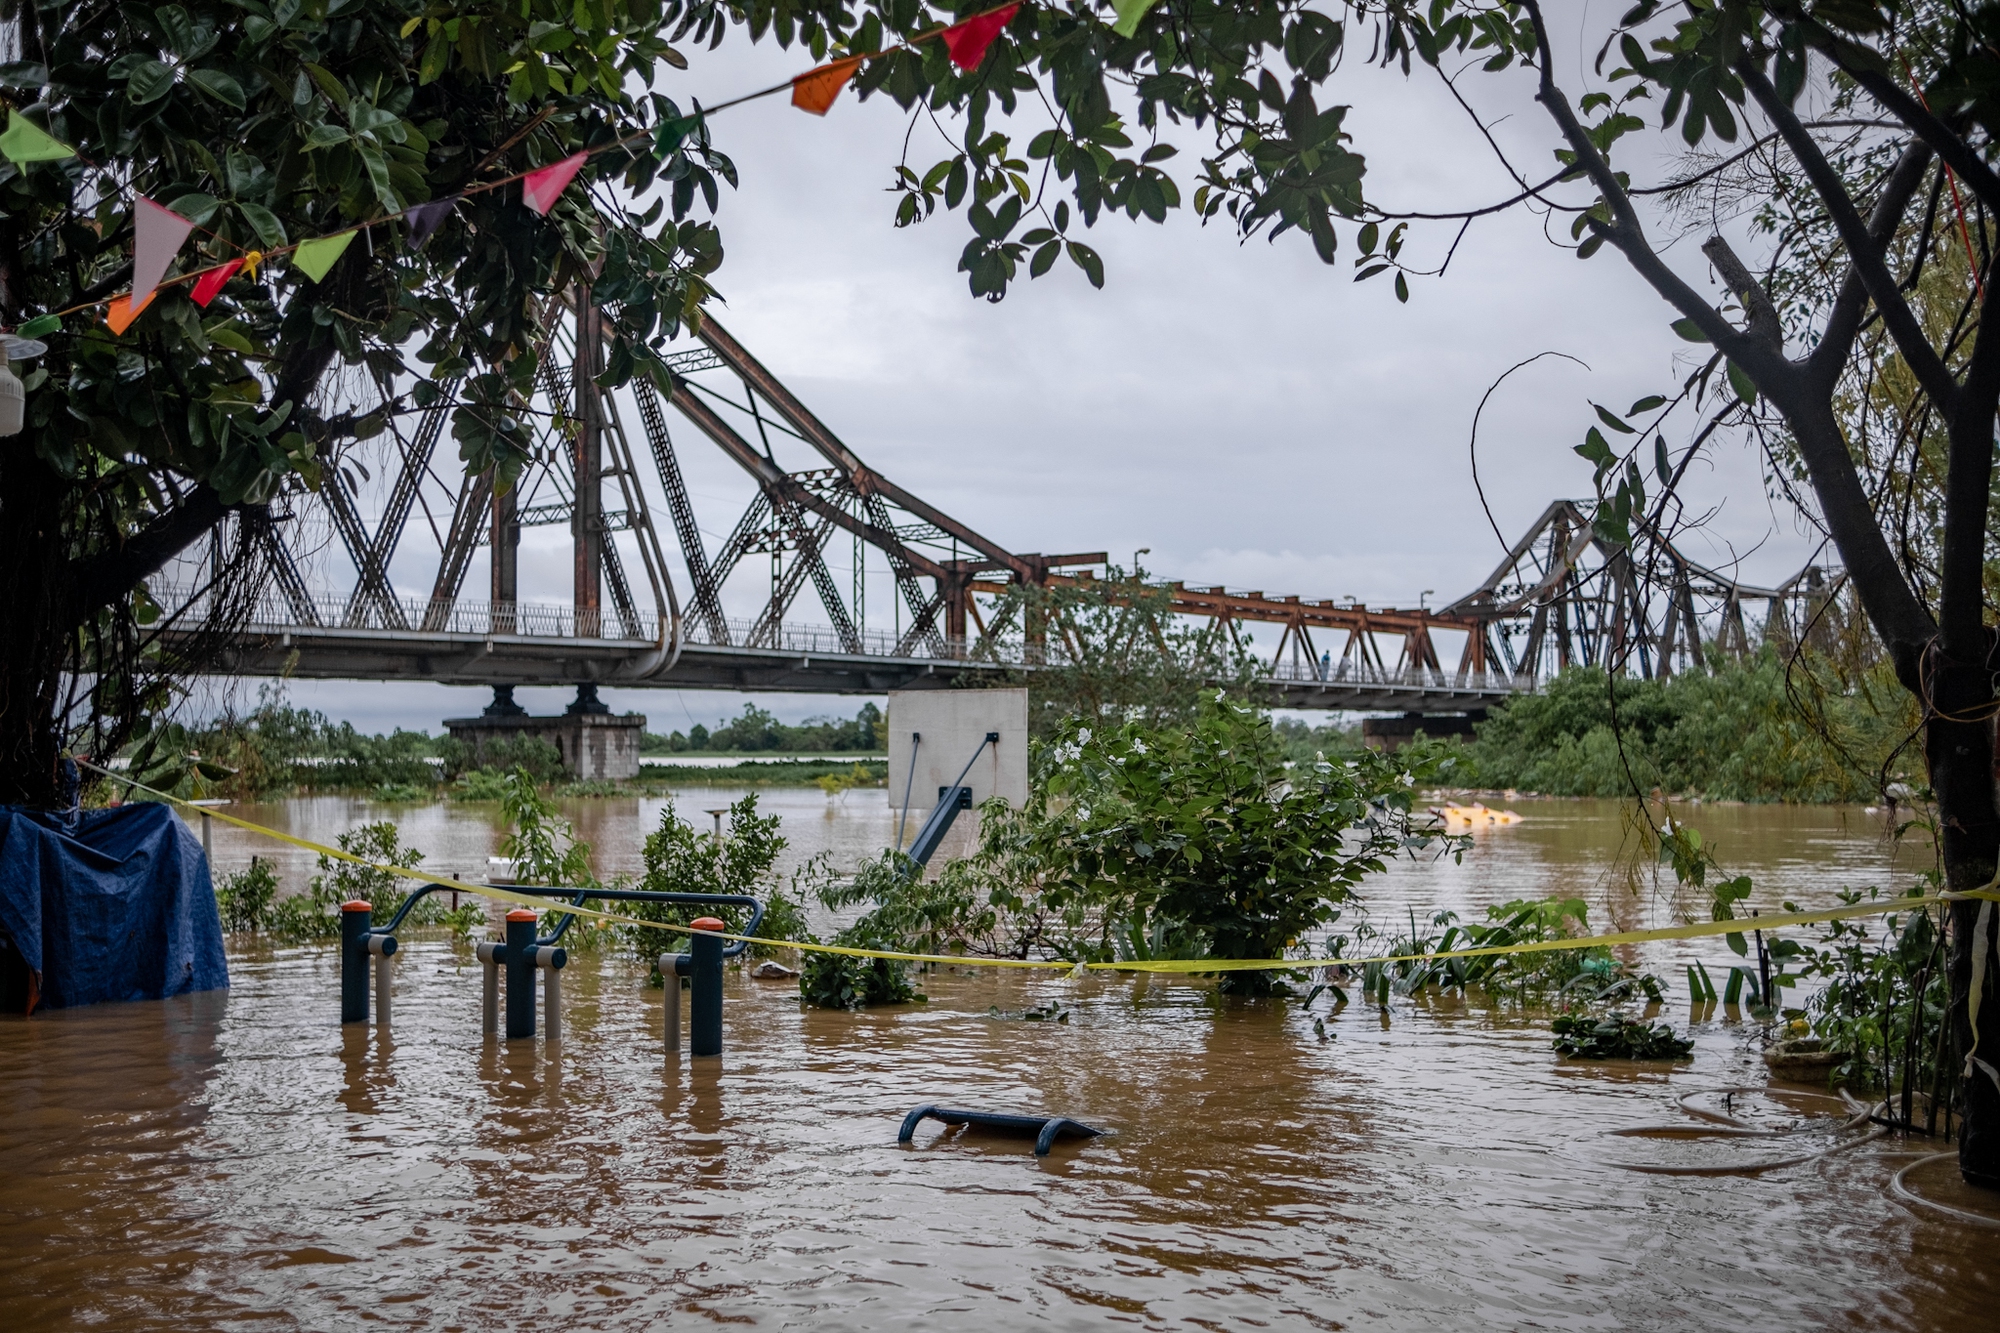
[(159, 233)]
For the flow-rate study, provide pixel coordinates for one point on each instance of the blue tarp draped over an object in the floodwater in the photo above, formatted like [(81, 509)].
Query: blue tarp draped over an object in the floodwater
[(109, 906)]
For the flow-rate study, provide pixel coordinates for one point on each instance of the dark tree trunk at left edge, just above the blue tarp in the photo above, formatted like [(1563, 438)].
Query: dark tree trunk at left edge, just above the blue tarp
[(35, 591)]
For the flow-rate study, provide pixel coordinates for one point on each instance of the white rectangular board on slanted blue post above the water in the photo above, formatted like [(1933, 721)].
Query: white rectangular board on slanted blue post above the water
[(953, 724)]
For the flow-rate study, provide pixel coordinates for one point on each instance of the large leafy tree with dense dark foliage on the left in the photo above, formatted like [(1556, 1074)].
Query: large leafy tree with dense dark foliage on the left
[(267, 125)]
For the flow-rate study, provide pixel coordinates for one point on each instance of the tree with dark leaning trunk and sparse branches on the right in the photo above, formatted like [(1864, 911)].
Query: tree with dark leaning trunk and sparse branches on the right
[(1069, 121)]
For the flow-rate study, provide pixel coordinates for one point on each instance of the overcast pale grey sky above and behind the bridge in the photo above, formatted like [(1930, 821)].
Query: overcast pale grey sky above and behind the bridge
[(1243, 411)]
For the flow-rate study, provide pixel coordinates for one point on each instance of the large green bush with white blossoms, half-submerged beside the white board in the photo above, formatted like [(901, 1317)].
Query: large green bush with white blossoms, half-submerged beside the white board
[(1155, 840)]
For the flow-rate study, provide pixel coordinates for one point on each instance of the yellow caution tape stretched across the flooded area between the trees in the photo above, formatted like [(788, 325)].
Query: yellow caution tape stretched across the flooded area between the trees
[(1885, 908)]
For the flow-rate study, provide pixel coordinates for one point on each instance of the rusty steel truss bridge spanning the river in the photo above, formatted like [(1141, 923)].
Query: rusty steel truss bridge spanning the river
[(605, 467)]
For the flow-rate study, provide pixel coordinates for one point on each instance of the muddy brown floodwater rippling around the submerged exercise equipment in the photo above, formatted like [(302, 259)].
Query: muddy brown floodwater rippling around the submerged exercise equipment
[(239, 1160)]
